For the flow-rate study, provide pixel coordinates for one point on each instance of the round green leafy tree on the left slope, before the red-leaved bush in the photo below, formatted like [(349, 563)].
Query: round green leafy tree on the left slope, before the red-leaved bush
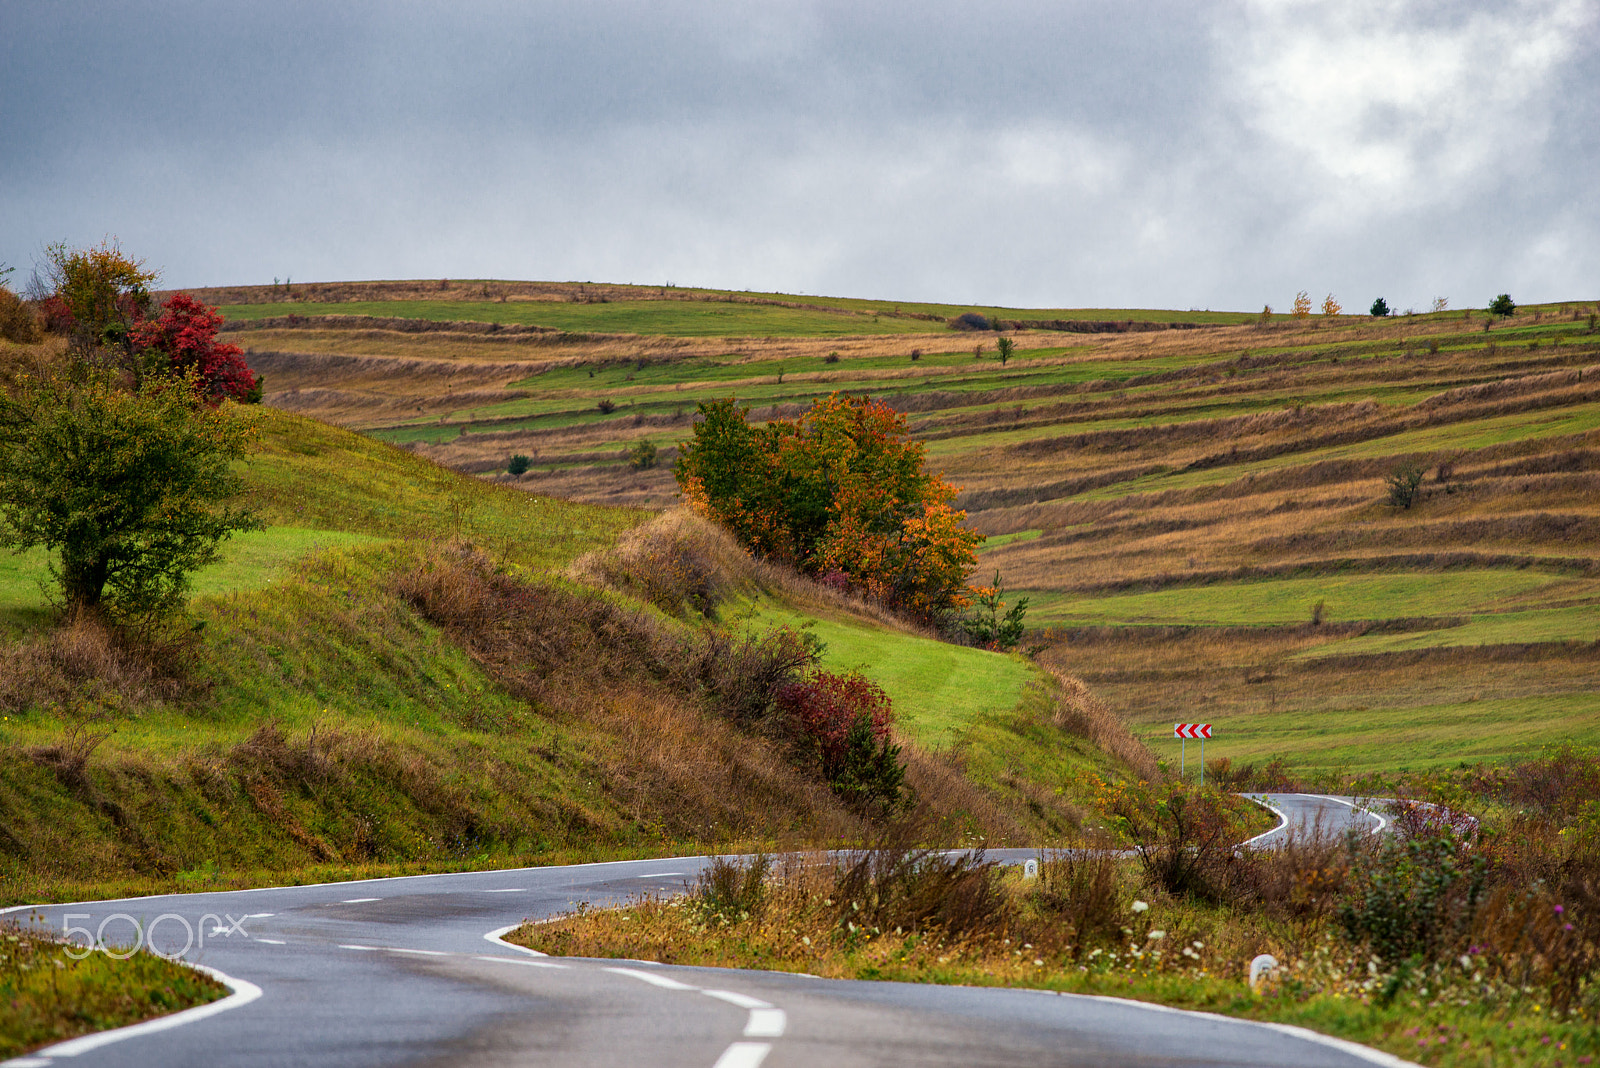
[(127, 488)]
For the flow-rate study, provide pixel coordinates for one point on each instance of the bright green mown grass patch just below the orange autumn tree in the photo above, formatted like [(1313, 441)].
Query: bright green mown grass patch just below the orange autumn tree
[(938, 690)]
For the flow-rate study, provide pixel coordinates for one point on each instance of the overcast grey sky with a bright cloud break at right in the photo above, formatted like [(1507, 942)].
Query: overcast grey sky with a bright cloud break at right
[(1210, 156)]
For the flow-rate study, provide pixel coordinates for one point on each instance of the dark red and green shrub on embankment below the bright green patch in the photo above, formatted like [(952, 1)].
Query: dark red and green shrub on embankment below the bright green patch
[(841, 723)]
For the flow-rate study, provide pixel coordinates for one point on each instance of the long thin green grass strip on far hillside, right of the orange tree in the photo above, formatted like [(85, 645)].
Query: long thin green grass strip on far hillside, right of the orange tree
[(1290, 600)]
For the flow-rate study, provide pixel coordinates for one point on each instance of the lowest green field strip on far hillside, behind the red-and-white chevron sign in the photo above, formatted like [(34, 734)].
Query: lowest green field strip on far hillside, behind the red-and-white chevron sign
[(1396, 738)]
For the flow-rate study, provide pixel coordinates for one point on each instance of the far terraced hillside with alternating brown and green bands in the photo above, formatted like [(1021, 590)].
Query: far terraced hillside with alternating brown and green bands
[(1194, 503)]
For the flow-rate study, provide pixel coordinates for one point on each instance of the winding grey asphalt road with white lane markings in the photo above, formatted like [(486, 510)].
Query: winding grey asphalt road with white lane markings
[(410, 971)]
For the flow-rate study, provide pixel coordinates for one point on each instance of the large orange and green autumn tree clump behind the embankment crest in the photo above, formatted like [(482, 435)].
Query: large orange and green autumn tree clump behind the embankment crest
[(842, 492)]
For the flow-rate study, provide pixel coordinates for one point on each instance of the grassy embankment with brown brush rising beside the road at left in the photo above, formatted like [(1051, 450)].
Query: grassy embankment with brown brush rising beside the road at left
[(431, 688)]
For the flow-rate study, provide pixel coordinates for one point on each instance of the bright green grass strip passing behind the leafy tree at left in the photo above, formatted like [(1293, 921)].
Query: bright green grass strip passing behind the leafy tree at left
[(250, 560)]
